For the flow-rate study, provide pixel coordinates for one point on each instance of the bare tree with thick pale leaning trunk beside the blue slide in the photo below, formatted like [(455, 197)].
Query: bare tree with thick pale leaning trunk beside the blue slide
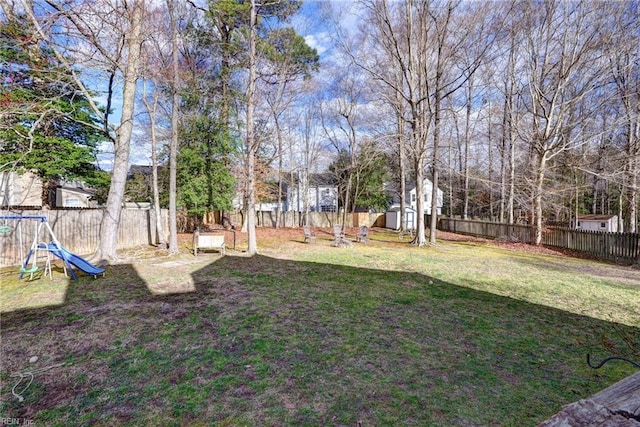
[(112, 32)]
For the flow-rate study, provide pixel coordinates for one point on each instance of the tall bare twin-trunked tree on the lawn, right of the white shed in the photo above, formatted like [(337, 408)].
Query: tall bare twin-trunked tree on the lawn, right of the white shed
[(419, 42)]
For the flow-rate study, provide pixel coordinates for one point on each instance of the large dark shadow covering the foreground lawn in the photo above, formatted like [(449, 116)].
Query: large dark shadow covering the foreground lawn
[(264, 341)]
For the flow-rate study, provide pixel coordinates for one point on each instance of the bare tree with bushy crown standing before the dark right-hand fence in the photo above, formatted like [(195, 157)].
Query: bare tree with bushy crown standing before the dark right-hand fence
[(563, 68)]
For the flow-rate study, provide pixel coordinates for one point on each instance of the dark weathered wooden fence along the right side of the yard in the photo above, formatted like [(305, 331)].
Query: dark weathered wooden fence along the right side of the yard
[(619, 247)]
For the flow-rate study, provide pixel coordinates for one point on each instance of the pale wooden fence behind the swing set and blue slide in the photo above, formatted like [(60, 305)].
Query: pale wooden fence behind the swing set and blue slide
[(77, 230)]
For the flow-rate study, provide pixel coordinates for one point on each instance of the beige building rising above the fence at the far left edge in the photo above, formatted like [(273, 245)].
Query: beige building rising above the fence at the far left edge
[(20, 190)]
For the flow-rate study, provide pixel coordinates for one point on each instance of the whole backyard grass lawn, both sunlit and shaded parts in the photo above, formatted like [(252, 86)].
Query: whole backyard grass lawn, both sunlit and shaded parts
[(464, 333)]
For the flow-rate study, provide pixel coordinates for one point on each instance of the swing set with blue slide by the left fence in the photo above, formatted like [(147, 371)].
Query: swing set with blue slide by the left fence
[(42, 250)]
